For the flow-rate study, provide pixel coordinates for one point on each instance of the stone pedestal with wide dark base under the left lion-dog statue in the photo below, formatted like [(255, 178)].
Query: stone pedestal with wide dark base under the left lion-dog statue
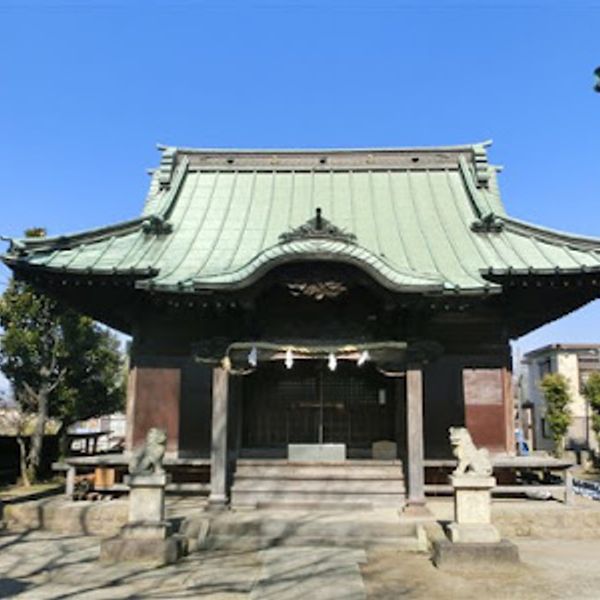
[(147, 535)]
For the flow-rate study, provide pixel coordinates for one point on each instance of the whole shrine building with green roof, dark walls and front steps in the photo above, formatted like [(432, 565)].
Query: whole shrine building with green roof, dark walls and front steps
[(319, 307)]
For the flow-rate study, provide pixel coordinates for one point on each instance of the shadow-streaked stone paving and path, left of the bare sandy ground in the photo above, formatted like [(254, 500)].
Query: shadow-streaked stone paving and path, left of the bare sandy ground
[(48, 565)]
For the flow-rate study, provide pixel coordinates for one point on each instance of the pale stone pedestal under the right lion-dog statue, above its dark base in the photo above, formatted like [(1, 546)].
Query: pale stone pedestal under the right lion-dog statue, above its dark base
[(472, 510)]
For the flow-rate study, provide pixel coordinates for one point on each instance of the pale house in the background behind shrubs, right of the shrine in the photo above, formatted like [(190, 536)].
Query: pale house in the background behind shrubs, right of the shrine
[(575, 362)]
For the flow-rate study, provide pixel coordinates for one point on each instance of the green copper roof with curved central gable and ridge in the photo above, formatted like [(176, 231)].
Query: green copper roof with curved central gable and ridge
[(416, 219)]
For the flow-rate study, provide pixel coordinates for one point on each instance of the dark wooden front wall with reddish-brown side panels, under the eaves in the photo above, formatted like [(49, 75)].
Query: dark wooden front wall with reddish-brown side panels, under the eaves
[(468, 384)]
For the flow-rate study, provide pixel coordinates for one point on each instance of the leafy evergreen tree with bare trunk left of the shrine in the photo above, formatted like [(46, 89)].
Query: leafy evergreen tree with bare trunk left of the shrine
[(59, 363)]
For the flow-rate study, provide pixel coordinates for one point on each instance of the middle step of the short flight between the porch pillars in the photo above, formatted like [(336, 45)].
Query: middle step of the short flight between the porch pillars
[(348, 486)]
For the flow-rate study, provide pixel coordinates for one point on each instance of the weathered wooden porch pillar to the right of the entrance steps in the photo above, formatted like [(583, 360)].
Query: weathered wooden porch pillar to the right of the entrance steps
[(414, 436)]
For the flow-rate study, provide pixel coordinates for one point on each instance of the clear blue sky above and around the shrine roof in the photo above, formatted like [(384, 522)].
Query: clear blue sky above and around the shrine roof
[(87, 89)]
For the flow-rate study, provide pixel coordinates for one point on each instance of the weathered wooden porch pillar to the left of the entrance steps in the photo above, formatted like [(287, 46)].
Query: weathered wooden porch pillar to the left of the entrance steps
[(218, 452)]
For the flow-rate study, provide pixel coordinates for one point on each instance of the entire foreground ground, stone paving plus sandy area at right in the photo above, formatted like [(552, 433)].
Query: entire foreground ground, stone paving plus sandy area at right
[(42, 565)]
